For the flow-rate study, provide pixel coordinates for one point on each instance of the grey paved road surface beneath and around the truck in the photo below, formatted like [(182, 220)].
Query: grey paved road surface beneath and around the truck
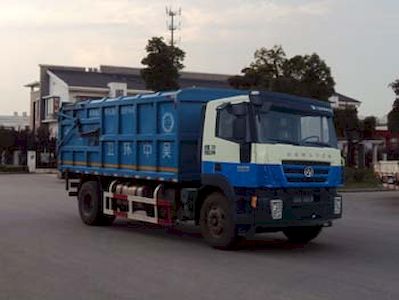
[(47, 253)]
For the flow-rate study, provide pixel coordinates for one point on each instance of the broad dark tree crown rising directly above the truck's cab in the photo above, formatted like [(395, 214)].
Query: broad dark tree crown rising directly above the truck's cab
[(306, 75)]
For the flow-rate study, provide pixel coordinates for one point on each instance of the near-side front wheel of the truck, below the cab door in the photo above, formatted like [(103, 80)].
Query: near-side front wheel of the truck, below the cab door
[(216, 222)]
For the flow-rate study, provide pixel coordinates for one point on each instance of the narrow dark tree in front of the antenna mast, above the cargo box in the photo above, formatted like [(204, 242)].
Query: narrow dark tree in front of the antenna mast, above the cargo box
[(163, 64)]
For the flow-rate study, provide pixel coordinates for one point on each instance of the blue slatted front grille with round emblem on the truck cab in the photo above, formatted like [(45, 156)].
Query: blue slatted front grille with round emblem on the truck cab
[(294, 171)]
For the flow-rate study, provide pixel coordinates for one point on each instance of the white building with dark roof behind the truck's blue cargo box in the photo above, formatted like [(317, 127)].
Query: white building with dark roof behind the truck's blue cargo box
[(61, 84)]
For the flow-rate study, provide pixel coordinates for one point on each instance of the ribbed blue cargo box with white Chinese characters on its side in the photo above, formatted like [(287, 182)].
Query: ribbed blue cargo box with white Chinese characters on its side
[(152, 136)]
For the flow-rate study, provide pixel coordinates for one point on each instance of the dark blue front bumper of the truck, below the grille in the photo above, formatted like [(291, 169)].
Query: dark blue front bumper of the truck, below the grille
[(298, 209)]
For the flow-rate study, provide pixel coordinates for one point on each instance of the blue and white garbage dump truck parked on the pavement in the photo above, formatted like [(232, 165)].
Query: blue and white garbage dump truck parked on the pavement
[(234, 162)]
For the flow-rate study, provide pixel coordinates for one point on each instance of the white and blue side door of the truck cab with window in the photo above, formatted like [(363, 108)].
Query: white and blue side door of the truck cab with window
[(226, 149)]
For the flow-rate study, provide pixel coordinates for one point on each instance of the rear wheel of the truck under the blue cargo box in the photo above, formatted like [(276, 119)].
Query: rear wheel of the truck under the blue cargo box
[(91, 205)]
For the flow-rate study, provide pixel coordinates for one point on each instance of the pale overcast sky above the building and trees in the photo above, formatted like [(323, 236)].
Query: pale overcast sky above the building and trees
[(358, 39)]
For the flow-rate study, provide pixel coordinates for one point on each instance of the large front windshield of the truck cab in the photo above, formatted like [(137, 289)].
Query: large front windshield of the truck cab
[(295, 128)]
